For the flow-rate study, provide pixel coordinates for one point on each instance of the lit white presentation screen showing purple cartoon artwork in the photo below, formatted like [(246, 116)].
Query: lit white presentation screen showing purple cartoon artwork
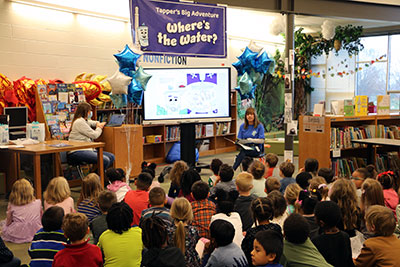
[(182, 94)]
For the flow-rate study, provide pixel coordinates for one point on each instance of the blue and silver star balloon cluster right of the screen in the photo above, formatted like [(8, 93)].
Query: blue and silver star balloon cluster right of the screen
[(251, 68)]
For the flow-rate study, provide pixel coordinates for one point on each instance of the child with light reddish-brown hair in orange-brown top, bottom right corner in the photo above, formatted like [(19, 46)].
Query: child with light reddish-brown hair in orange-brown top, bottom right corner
[(383, 248)]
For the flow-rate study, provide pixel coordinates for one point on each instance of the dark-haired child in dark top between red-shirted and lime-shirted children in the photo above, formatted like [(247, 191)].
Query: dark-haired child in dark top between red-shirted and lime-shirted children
[(99, 224)]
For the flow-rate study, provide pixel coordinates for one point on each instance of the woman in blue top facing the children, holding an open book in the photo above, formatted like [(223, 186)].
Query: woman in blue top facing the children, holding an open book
[(251, 133)]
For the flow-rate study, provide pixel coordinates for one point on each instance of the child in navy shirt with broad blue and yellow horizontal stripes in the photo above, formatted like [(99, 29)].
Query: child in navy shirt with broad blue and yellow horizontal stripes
[(48, 240)]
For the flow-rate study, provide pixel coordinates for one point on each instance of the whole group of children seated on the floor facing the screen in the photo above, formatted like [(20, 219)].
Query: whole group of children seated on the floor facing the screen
[(261, 217)]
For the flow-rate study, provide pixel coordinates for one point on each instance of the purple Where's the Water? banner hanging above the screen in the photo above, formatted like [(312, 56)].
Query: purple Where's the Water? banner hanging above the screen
[(179, 28)]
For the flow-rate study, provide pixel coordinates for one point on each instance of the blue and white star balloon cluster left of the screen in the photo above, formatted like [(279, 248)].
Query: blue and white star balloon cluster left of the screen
[(128, 81)]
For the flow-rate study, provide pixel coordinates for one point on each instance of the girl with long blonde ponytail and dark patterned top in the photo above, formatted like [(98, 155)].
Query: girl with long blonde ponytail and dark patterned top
[(182, 235)]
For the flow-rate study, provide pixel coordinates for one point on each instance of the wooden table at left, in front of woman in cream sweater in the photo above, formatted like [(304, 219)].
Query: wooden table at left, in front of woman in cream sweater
[(44, 148)]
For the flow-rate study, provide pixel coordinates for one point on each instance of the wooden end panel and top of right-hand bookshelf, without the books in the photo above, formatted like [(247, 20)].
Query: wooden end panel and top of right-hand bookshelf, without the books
[(315, 141)]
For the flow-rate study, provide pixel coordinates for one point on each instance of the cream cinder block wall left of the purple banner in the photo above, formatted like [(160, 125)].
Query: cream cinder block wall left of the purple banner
[(42, 43)]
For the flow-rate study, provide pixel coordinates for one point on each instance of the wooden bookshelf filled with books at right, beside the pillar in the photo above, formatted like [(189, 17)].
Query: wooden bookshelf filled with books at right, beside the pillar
[(327, 139)]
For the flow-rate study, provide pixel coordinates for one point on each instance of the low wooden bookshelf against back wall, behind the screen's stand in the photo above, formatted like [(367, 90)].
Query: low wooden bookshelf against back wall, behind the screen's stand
[(211, 134)]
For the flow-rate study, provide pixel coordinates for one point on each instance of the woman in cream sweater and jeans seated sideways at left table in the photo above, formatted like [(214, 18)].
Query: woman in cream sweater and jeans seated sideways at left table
[(82, 130)]
